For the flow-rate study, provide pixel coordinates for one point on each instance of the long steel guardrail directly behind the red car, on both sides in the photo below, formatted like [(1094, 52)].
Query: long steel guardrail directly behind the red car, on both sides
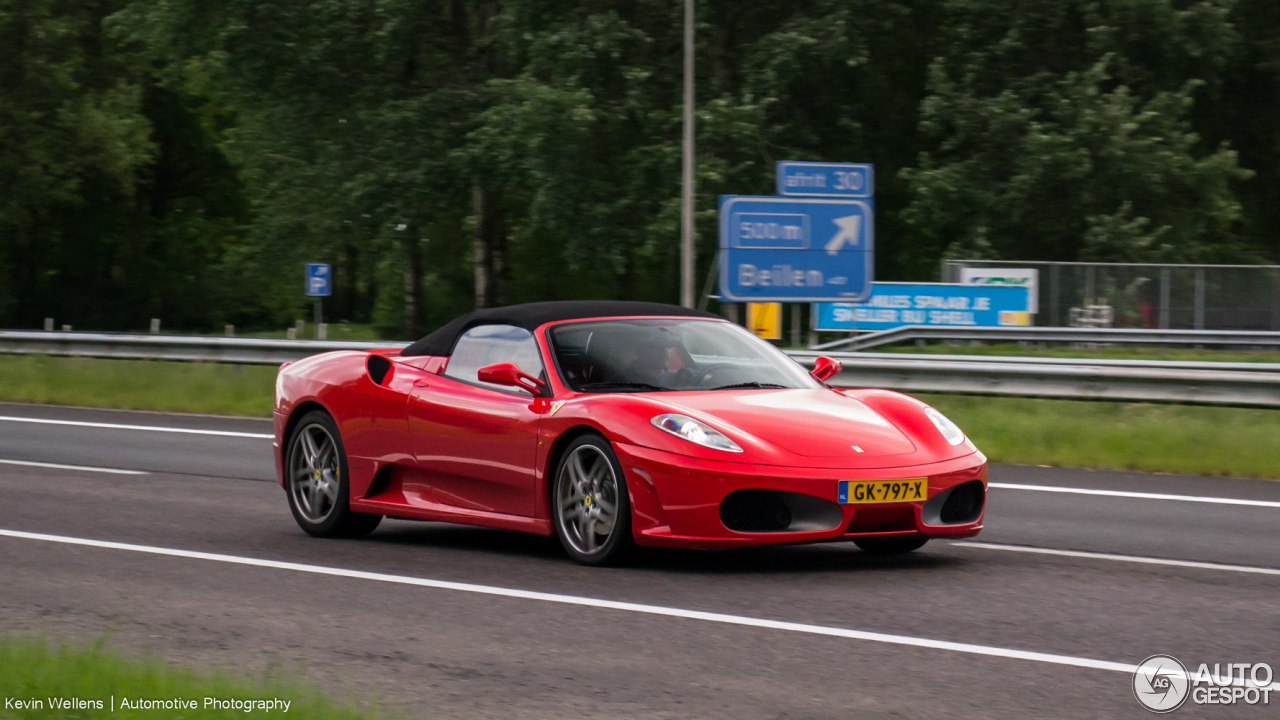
[(1201, 384)]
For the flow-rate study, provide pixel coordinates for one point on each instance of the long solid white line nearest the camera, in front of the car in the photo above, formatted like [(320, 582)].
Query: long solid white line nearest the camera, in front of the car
[(592, 603)]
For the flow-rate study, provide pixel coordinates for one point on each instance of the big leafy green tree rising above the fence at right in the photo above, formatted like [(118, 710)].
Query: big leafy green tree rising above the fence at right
[(1063, 131)]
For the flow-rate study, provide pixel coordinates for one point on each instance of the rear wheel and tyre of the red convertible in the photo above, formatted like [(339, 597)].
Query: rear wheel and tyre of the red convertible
[(318, 481)]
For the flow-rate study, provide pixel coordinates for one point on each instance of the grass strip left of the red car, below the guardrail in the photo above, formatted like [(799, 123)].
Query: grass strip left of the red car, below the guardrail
[(139, 385)]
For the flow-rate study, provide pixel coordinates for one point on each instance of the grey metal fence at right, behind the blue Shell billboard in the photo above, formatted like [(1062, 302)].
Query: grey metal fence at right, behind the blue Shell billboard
[(1139, 295)]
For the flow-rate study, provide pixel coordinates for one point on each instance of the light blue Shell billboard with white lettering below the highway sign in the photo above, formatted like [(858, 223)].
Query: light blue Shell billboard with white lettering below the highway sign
[(894, 306)]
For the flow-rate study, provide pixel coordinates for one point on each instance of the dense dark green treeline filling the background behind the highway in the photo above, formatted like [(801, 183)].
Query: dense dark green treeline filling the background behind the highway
[(184, 158)]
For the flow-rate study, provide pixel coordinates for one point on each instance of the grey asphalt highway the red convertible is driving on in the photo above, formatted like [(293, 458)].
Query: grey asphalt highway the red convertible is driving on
[(461, 651)]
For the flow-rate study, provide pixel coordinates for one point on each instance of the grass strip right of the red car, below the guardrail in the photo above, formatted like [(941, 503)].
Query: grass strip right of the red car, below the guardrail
[(1162, 439)]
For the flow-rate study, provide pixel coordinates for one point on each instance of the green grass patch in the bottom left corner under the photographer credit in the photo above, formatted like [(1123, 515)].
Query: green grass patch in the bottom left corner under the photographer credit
[(49, 678)]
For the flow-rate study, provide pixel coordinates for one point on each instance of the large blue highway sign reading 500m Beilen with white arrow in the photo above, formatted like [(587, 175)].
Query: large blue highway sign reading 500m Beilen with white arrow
[(796, 250)]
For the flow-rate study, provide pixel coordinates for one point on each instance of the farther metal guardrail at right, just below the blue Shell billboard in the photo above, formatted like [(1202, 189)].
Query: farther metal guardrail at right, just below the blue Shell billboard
[(1130, 336)]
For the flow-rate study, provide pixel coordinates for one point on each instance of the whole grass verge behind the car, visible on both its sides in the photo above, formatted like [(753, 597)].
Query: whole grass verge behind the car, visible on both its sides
[(1163, 439)]
